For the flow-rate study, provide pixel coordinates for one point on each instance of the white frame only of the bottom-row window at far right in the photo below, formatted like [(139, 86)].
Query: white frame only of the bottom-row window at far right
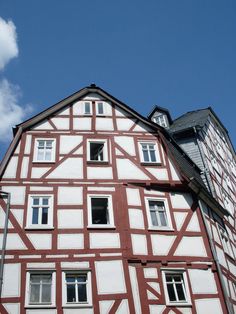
[(185, 287)]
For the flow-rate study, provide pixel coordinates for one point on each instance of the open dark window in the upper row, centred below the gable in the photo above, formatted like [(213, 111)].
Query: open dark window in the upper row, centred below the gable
[(97, 150)]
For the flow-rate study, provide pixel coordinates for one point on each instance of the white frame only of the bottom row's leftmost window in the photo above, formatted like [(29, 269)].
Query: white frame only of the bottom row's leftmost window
[(53, 289)]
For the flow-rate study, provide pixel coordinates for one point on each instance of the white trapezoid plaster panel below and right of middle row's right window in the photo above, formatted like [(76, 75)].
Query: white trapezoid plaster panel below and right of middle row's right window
[(191, 246)]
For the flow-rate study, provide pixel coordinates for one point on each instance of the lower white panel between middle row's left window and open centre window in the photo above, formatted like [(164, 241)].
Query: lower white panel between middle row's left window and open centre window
[(70, 218)]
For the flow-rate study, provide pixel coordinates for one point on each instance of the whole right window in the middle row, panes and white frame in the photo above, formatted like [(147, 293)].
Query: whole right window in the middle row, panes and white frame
[(158, 213)]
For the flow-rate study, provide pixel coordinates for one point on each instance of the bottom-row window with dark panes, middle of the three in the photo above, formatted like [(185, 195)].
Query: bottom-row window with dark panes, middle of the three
[(77, 288)]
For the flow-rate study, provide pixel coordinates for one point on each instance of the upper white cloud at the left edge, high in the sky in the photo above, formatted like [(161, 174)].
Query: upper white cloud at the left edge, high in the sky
[(8, 42)]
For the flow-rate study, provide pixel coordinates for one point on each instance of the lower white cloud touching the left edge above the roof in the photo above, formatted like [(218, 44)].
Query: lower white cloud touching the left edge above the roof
[(10, 112)]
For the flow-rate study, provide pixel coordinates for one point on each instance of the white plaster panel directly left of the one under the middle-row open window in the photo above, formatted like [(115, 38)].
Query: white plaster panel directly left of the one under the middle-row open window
[(71, 241)]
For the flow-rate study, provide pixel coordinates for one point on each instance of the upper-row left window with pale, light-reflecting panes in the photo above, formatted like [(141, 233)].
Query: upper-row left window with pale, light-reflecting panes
[(44, 150)]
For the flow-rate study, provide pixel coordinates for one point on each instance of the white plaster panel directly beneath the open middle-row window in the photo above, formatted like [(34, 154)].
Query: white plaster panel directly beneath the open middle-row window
[(104, 240)]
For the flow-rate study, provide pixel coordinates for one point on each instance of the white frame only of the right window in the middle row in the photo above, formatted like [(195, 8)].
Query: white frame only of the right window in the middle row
[(167, 211)]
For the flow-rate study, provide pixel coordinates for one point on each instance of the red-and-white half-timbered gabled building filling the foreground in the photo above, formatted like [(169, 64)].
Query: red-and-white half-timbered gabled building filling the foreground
[(106, 215)]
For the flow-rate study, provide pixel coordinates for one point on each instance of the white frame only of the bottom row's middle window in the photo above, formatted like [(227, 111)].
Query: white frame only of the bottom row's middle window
[(75, 272)]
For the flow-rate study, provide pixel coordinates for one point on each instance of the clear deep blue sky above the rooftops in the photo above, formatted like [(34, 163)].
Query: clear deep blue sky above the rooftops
[(177, 54)]
